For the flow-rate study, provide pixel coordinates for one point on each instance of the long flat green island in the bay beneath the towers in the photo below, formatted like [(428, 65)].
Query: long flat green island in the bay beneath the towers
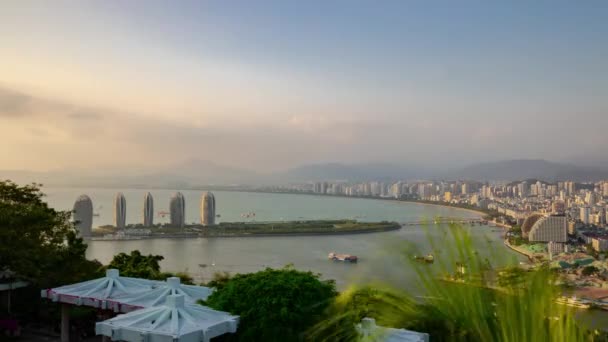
[(245, 229)]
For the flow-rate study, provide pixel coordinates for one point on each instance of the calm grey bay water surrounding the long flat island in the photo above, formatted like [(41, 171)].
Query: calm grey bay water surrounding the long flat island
[(382, 255)]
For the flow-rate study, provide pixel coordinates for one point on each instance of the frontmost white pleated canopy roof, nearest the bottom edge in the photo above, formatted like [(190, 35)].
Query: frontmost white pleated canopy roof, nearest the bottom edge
[(174, 321)]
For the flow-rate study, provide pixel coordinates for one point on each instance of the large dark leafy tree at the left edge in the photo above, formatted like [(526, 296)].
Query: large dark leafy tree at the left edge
[(38, 243)]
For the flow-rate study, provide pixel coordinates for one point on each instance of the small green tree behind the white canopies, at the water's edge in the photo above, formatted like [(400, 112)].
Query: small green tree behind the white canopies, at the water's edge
[(144, 266)]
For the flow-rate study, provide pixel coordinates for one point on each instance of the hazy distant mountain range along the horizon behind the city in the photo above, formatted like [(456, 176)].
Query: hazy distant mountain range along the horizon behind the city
[(204, 173)]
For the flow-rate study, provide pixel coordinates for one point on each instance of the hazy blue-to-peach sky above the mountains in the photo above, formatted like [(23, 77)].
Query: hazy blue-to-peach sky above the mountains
[(273, 84)]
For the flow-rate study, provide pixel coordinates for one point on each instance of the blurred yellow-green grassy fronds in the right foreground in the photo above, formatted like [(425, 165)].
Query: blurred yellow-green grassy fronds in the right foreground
[(474, 303)]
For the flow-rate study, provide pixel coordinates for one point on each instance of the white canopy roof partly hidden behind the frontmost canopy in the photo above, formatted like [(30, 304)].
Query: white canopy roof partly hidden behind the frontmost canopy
[(159, 294)]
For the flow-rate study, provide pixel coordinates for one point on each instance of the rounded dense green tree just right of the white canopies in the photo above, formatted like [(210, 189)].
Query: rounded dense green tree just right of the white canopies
[(274, 304)]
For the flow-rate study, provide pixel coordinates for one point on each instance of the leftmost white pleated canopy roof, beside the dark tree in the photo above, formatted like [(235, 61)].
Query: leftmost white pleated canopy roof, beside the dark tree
[(103, 293)]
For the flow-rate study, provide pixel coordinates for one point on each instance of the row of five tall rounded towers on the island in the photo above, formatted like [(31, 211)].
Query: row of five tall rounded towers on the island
[(83, 211)]
